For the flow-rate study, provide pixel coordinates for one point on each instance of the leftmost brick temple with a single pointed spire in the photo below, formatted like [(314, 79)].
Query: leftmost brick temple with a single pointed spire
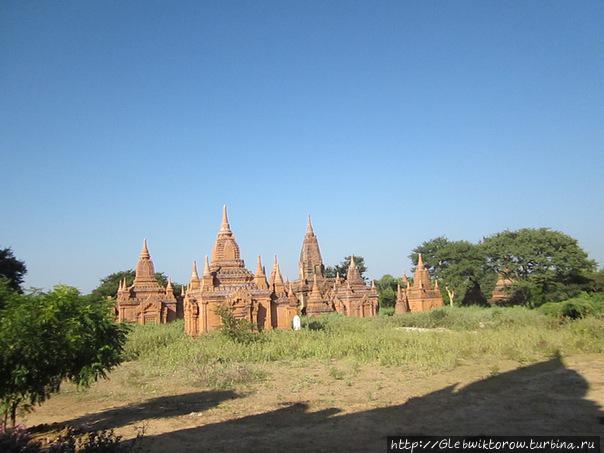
[(146, 301)]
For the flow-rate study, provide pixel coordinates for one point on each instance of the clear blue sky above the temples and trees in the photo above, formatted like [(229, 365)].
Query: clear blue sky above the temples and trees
[(391, 123)]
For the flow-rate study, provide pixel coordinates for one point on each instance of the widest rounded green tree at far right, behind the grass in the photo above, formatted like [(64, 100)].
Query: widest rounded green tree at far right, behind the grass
[(547, 265)]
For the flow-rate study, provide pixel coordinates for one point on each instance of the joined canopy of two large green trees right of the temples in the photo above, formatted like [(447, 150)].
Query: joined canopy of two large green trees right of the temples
[(545, 266)]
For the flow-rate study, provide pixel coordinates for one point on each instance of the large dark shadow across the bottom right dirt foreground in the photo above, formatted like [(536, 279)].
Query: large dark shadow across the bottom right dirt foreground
[(541, 399)]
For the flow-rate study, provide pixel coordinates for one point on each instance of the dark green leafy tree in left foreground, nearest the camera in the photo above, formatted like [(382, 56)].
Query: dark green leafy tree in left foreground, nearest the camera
[(48, 338)]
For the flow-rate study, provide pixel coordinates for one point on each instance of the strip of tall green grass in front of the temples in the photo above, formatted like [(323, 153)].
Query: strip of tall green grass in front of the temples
[(472, 334)]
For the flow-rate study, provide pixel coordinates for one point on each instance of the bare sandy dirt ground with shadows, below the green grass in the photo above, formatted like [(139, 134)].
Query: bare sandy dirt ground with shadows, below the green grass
[(340, 406)]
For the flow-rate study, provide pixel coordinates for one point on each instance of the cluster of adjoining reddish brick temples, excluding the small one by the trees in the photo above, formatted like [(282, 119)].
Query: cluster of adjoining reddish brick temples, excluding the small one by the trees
[(226, 283)]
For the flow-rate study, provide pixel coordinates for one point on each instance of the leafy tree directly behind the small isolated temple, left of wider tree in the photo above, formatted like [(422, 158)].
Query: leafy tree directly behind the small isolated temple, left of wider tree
[(460, 265)]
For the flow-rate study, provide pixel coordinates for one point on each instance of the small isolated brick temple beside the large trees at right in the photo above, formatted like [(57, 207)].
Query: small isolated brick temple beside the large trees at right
[(420, 295)]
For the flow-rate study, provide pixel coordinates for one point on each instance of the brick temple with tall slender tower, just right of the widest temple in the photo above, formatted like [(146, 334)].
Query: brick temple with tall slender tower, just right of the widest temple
[(319, 294)]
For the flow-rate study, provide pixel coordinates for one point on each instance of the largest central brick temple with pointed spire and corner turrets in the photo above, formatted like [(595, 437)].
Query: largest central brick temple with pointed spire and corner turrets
[(226, 283)]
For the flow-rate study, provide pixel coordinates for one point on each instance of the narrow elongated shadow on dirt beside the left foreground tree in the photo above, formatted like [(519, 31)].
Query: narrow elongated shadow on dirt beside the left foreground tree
[(155, 408)]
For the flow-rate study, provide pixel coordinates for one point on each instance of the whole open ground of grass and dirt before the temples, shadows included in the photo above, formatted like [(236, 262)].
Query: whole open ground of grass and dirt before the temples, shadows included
[(442, 371)]
